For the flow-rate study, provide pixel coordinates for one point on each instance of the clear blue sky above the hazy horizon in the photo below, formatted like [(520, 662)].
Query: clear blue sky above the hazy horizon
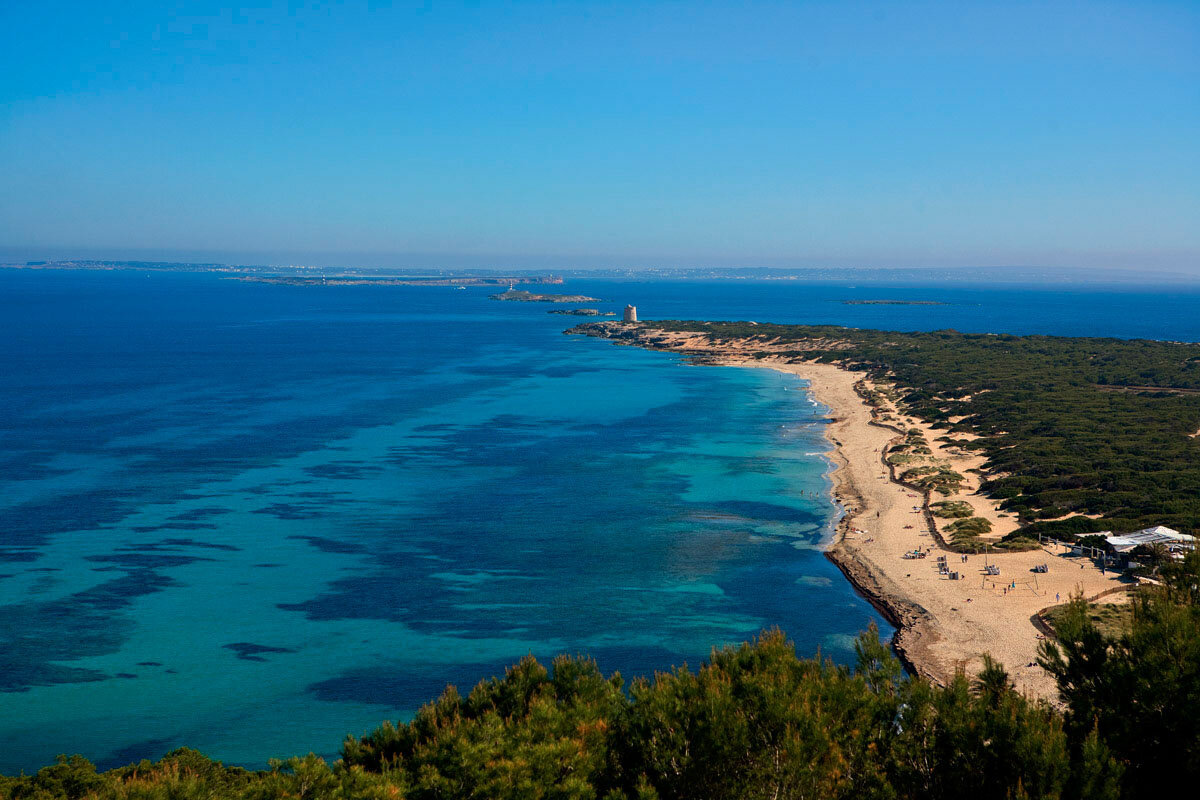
[(603, 134)]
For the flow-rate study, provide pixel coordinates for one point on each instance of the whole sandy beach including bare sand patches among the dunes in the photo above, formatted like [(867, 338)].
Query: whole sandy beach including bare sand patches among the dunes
[(945, 627)]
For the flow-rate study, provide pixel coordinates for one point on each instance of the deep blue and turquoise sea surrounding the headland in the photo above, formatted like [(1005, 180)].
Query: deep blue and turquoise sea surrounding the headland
[(255, 519)]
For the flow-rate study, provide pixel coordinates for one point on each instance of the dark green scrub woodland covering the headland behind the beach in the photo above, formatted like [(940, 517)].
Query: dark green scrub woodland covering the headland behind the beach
[(1069, 426)]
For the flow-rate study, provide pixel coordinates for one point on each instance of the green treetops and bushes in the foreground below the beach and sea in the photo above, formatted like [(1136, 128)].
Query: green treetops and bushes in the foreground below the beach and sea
[(759, 723)]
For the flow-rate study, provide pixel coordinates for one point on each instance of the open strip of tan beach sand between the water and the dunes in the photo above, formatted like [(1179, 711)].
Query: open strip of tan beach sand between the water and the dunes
[(939, 633)]
